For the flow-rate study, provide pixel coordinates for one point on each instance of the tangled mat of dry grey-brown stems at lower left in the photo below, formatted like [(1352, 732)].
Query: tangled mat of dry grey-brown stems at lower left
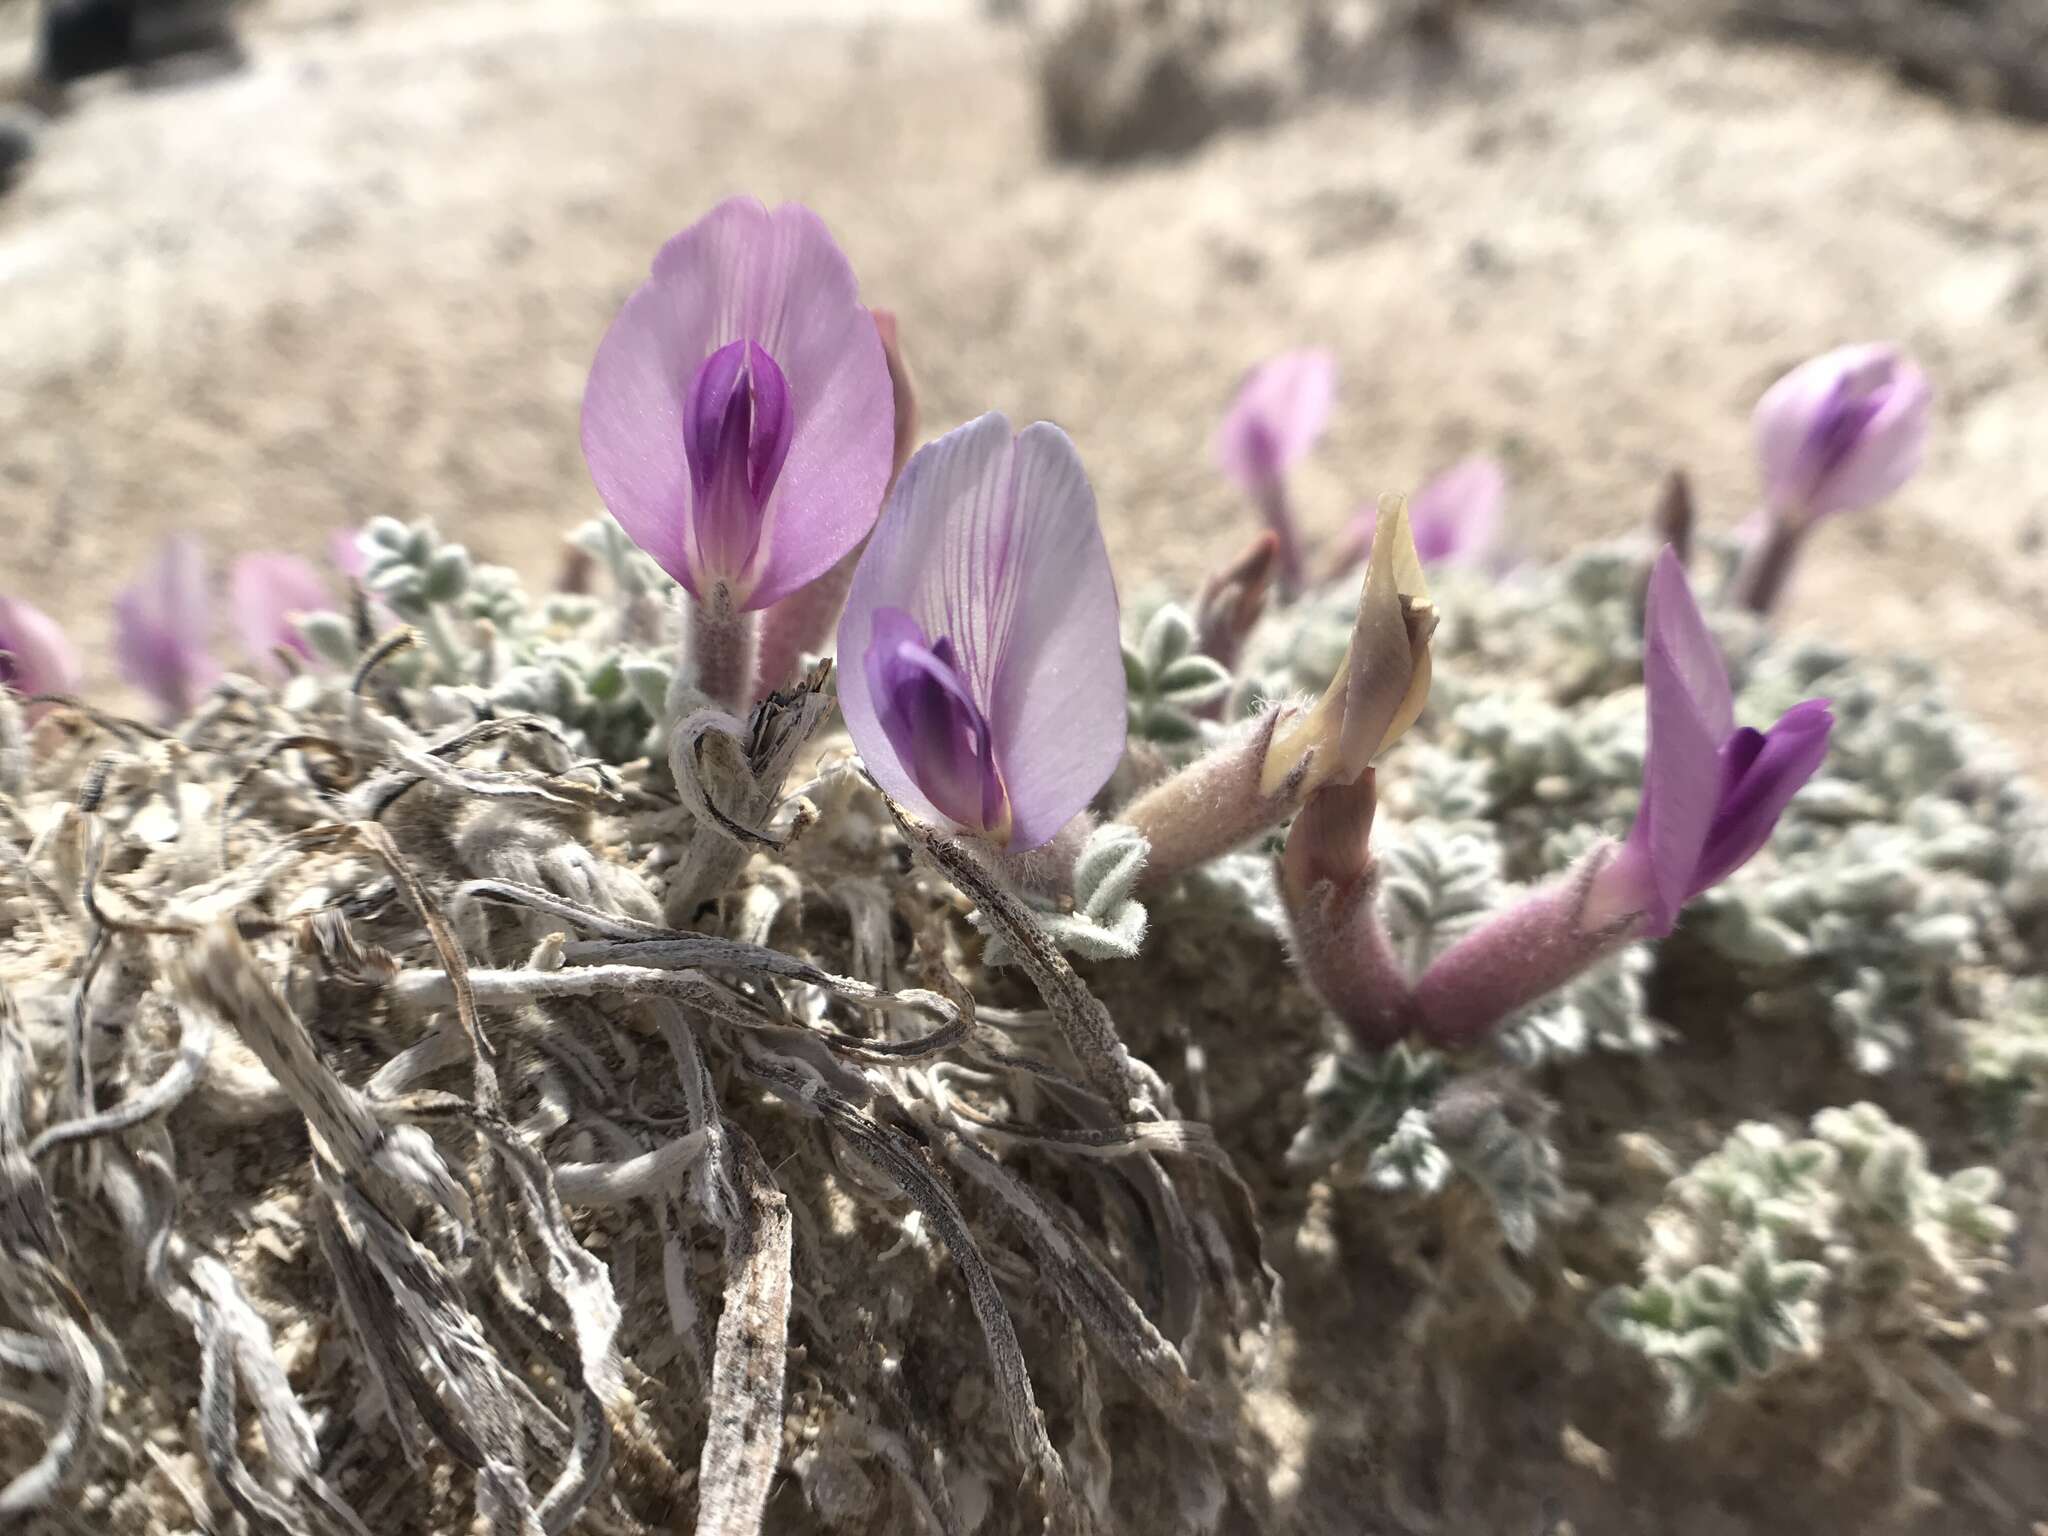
[(462, 1185)]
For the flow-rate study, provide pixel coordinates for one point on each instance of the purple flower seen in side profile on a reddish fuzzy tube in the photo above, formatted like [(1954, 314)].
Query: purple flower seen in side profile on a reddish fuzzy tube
[(1711, 792)]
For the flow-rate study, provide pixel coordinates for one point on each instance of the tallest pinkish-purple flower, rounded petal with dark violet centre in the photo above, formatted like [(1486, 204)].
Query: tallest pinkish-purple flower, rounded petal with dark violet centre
[(738, 417)]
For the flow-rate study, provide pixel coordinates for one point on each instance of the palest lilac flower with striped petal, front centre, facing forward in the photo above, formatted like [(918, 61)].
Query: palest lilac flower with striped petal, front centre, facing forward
[(980, 665)]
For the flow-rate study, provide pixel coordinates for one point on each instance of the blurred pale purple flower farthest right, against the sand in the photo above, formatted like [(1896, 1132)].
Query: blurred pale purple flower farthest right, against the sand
[(1842, 431)]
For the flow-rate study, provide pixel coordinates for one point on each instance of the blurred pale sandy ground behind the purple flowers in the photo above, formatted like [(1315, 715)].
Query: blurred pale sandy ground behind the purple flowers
[(366, 275)]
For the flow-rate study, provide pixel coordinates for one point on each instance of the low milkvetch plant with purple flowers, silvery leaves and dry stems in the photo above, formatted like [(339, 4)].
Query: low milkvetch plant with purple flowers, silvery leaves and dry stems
[(681, 1074)]
